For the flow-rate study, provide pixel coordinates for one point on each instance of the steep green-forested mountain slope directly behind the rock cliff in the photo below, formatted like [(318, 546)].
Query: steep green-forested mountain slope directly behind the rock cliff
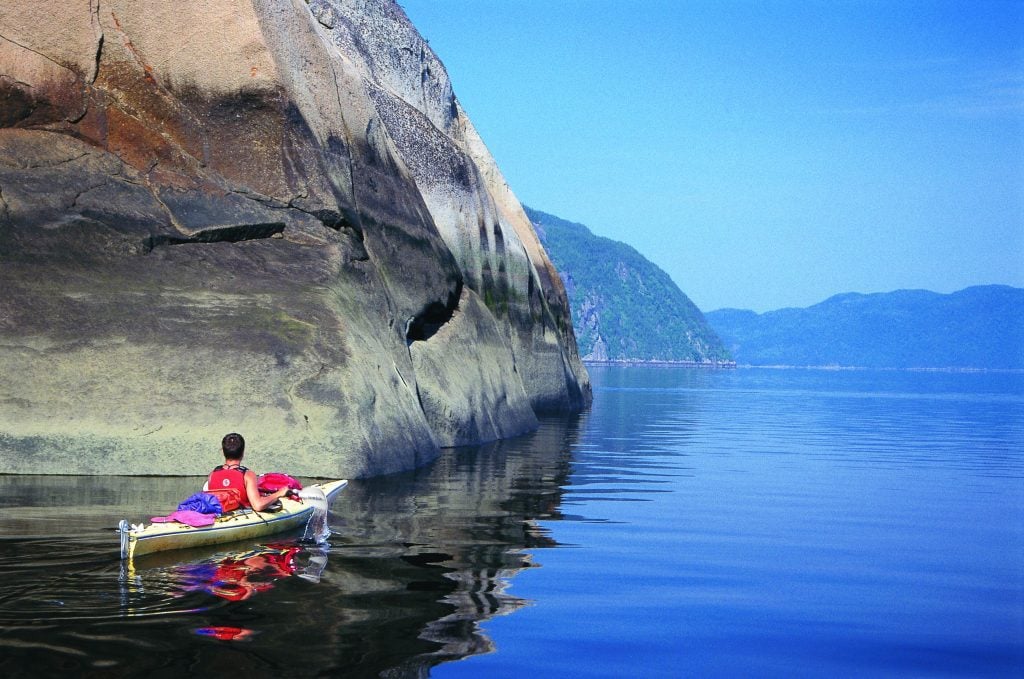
[(624, 308)]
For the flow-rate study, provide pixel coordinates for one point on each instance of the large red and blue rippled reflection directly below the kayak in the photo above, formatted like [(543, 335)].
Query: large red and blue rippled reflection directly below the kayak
[(238, 577)]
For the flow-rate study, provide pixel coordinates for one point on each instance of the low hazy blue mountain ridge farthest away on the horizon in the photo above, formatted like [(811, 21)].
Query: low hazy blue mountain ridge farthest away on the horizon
[(982, 327)]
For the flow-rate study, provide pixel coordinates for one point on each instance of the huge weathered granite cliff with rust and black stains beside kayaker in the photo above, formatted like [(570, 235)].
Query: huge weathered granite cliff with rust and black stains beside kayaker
[(269, 217)]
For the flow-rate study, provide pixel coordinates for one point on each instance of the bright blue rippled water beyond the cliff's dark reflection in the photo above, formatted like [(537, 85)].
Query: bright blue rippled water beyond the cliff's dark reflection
[(781, 523)]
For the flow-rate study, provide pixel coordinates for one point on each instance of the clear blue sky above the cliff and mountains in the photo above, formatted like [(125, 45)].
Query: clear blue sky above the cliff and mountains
[(764, 154)]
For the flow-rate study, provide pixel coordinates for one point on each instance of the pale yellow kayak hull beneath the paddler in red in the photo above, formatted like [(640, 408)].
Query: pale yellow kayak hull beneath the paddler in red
[(238, 525)]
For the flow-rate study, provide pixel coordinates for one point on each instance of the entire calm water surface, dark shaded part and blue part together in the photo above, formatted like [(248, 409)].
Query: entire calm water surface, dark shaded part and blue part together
[(748, 523)]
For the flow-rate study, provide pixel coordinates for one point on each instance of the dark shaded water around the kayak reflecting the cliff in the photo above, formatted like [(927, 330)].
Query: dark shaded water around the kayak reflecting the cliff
[(416, 562)]
